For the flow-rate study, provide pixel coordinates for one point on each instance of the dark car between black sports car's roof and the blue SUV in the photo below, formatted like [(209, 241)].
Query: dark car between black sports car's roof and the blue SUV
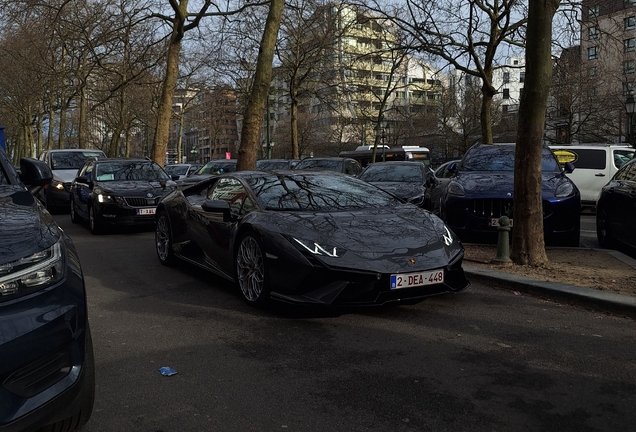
[(406, 180)]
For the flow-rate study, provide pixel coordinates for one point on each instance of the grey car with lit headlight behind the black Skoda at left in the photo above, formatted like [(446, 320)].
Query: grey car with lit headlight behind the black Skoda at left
[(64, 164)]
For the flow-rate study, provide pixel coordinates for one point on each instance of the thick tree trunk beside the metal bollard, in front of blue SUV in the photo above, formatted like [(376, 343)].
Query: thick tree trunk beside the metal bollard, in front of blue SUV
[(528, 246)]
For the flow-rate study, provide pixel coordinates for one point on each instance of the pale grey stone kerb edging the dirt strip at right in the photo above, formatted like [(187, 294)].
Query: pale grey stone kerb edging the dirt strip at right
[(587, 297)]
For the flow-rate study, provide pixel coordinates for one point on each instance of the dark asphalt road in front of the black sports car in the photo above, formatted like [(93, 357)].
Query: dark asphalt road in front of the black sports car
[(483, 360)]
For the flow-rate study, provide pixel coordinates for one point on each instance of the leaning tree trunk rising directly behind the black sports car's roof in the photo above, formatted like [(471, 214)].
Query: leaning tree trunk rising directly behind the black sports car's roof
[(260, 89)]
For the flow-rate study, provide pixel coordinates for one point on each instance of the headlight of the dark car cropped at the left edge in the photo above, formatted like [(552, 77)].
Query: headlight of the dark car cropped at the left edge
[(39, 270)]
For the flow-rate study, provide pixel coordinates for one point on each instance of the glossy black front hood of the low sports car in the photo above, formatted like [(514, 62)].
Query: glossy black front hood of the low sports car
[(394, 235)]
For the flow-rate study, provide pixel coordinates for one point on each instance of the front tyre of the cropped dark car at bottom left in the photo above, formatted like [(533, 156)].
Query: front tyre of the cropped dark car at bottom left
[(80, 418)]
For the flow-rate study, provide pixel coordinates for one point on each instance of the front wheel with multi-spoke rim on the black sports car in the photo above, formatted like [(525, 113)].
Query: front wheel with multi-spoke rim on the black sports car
[(250, 269)]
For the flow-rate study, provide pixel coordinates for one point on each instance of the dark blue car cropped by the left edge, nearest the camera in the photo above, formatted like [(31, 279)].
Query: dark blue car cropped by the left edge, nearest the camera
[(47, 373)]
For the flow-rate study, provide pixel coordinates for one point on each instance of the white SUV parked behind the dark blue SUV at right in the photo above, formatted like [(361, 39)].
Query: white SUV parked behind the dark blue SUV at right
[(595, 165)]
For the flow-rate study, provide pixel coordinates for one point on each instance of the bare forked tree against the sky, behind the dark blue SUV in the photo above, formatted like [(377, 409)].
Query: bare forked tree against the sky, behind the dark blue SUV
[(469, 35)]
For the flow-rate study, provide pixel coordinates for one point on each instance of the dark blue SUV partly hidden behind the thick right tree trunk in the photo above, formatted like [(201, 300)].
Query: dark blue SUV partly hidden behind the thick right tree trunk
[(482, 190)]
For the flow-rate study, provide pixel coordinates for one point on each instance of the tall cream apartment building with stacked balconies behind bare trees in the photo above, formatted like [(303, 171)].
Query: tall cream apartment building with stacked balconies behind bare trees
[(361, 78)]
